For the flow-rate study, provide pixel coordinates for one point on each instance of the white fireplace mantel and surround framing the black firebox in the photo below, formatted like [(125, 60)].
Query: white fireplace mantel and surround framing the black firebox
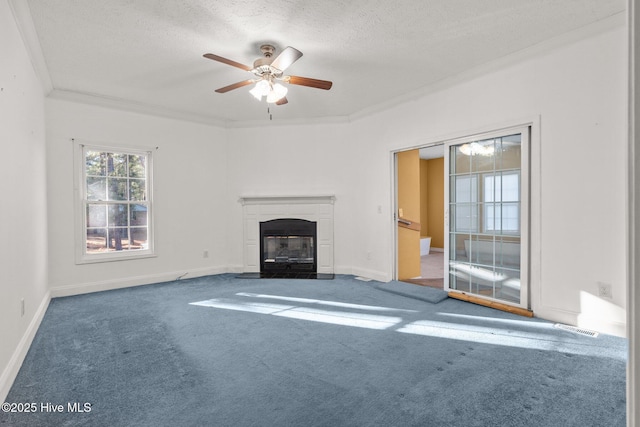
[(317, 208)]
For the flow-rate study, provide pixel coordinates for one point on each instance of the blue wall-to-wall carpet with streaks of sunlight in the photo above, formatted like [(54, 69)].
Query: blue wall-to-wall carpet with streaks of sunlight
[(222, 351)]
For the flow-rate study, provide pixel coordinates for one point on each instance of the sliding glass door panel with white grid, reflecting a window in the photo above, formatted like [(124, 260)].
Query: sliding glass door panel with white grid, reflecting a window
[(487, 220)]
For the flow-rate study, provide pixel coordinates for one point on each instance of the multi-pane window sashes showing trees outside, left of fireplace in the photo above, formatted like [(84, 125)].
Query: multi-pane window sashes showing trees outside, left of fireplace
[(115, 204)]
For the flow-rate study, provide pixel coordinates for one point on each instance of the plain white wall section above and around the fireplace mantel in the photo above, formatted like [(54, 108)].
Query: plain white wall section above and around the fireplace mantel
[(294, 161)]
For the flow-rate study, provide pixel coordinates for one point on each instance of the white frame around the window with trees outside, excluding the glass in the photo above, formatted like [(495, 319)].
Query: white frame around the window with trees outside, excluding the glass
[(81, 202)]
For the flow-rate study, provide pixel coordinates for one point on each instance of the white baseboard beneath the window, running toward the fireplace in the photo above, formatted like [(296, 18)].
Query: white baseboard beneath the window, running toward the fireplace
[(107, 285)]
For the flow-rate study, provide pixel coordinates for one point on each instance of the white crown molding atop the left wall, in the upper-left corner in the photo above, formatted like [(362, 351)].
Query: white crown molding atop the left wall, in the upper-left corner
[(24, 22)]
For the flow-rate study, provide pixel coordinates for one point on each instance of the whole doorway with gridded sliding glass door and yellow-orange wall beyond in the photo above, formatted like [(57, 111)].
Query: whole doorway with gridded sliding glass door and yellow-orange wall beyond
[(485, 215)]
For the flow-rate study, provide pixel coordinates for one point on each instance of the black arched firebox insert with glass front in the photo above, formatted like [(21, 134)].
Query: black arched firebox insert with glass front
[(288, 248)]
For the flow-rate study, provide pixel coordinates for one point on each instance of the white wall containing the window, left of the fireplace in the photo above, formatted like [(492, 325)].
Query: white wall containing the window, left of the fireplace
[(190, 175)]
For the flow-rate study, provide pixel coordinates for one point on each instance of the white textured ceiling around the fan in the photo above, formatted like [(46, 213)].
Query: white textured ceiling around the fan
[(147, 54)]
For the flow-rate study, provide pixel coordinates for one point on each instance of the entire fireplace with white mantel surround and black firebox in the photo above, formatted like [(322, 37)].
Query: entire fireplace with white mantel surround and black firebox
[(261, 211)]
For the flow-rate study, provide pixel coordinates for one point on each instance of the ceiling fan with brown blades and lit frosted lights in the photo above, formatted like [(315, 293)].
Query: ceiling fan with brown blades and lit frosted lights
[(268, 72)]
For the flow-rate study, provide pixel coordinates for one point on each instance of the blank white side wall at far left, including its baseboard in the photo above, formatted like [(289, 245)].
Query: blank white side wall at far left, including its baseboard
[(23, 216)]
